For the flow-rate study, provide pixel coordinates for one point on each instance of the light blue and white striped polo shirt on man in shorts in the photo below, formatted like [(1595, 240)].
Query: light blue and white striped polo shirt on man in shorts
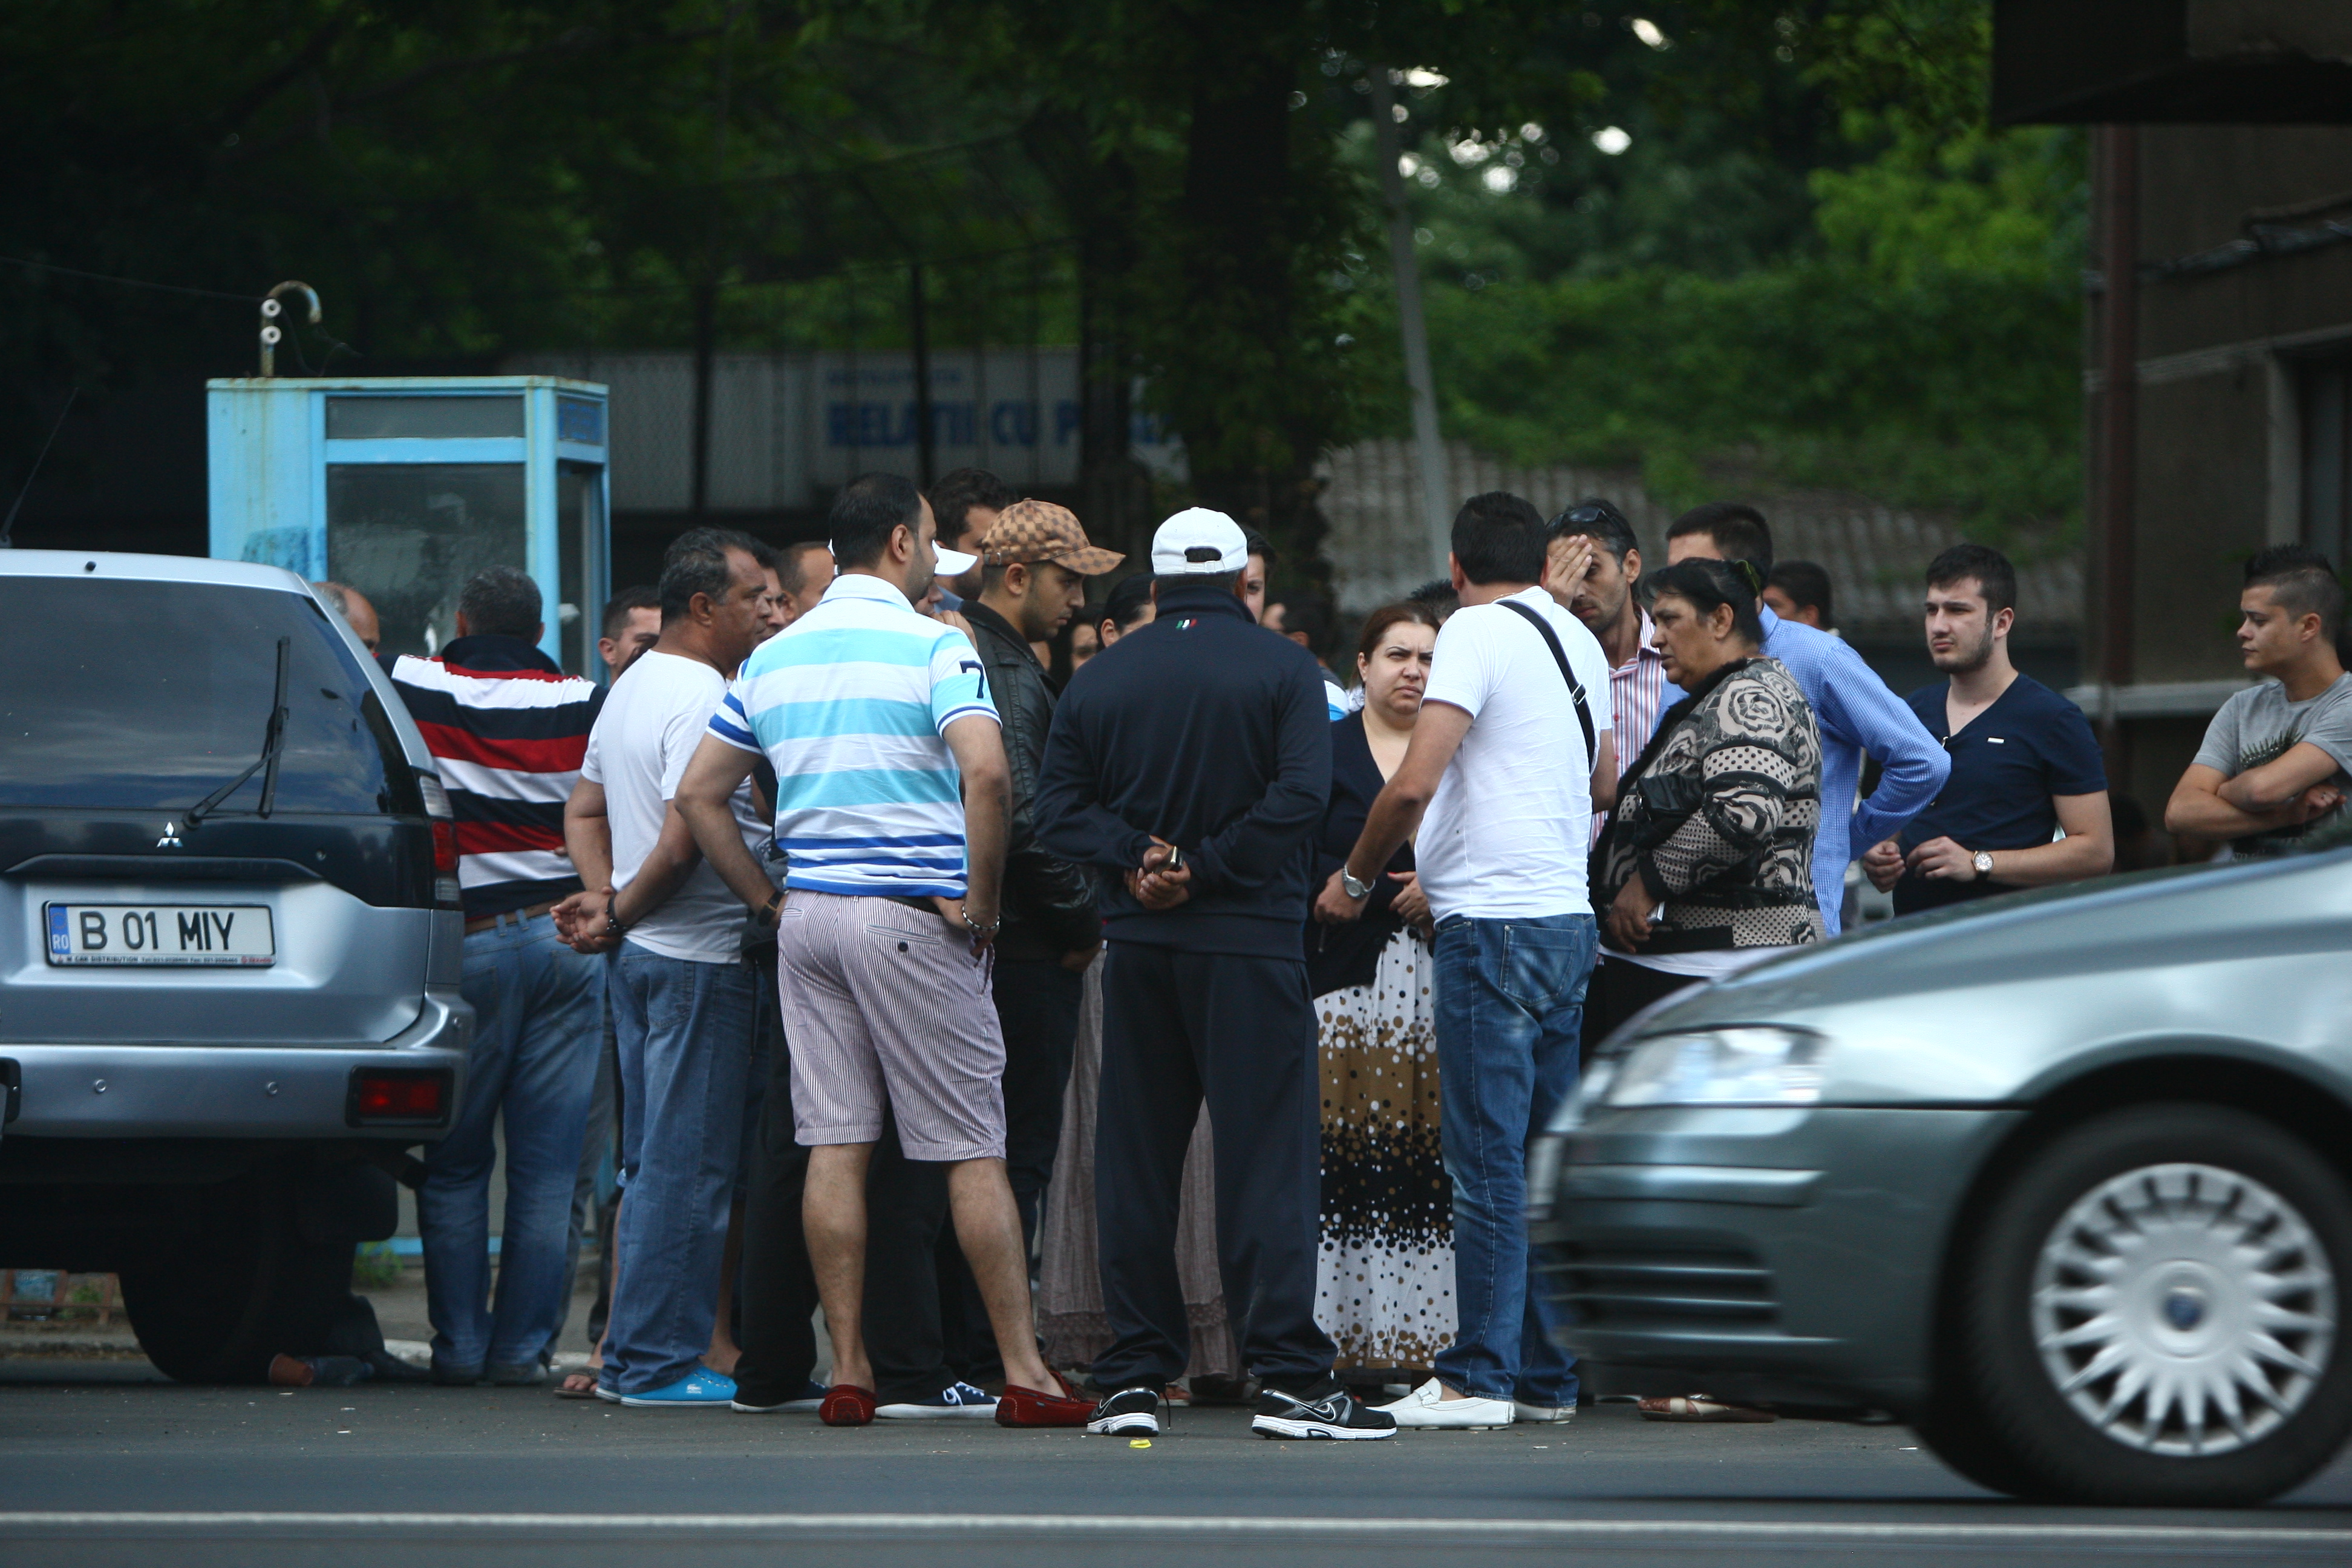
[(850, 706)]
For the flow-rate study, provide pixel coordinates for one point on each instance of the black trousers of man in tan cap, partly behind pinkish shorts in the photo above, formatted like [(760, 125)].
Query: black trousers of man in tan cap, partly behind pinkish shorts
[(926, 1320)]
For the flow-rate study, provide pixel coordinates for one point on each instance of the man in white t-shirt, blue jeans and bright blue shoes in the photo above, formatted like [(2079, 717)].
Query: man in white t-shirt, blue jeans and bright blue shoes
[(681, 991)]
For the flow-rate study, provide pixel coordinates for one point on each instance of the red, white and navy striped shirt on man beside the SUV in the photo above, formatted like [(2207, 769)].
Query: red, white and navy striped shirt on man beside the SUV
[(509, 732)]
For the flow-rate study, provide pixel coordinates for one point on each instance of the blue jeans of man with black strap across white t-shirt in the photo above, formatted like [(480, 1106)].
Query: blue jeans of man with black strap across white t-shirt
[(1511, 1000)]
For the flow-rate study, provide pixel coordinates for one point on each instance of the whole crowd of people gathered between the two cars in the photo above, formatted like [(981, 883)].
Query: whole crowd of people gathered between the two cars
[(923, 937)]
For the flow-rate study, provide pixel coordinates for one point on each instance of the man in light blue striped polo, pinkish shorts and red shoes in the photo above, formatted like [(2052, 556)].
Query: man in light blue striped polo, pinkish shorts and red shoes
[(893, 796)]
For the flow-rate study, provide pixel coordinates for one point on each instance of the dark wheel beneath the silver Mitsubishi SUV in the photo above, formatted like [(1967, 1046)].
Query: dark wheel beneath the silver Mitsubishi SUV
[(241, 1292)]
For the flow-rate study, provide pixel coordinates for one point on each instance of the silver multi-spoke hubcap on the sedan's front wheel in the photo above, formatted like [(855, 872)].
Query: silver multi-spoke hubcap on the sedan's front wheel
[(2184, 1311)]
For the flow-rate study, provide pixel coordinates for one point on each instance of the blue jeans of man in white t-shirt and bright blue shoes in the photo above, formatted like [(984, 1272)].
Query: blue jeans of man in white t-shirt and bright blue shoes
[(686, 1073)]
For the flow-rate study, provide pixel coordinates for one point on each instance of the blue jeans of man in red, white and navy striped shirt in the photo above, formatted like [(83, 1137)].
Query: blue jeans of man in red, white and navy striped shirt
[(540, 1024)]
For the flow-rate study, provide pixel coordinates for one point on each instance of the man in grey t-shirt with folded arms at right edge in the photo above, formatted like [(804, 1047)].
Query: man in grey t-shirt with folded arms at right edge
[(2278, 758)]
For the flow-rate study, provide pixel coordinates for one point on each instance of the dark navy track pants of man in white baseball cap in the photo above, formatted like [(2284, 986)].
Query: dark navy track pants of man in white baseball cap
[(1241, 1033)]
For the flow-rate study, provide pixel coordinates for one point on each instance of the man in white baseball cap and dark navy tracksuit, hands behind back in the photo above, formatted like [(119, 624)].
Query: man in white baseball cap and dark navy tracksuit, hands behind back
[(1191, 763)]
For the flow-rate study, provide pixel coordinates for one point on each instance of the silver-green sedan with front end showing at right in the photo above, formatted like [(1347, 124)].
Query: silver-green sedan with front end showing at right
[(2062, 1179)]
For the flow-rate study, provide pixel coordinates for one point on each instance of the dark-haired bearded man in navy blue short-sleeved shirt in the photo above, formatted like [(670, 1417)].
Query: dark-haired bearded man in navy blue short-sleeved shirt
[(2024, 760)]
